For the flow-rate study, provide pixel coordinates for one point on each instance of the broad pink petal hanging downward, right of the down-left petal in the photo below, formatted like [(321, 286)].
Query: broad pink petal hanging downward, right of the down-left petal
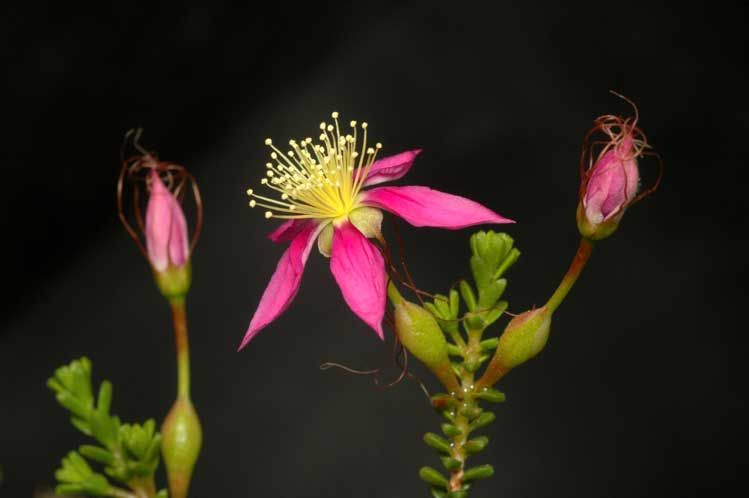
[(359, 269)]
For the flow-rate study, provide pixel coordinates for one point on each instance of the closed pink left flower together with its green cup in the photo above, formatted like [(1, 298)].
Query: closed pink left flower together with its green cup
[(166, 240)]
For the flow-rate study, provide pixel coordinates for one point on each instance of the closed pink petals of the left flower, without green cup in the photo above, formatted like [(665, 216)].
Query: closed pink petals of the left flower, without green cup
[(166, 229)]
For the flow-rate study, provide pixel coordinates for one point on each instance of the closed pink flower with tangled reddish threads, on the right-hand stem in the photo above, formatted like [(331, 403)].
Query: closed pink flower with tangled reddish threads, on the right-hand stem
[(609, 185)]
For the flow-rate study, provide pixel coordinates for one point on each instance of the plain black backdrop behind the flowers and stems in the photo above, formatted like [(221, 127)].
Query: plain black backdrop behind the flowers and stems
[(638, 391)]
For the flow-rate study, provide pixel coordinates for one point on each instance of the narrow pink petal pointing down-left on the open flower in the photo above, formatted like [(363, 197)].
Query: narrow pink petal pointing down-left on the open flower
[(284, 284)]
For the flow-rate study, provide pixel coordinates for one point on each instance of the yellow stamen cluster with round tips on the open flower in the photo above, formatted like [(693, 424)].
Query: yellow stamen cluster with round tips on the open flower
[(320, 180)]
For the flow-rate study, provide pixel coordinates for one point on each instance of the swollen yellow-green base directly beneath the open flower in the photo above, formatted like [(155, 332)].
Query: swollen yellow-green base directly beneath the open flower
[(421, 335)]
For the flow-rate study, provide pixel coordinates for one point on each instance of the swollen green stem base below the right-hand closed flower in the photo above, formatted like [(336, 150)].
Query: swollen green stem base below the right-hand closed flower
[(523, 338)]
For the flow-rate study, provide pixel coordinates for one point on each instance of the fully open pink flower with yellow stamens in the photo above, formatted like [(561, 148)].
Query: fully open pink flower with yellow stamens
[(320, 194)]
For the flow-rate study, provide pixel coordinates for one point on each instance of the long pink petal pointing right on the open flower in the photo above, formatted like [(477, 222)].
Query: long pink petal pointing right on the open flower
[(424, 207)]
